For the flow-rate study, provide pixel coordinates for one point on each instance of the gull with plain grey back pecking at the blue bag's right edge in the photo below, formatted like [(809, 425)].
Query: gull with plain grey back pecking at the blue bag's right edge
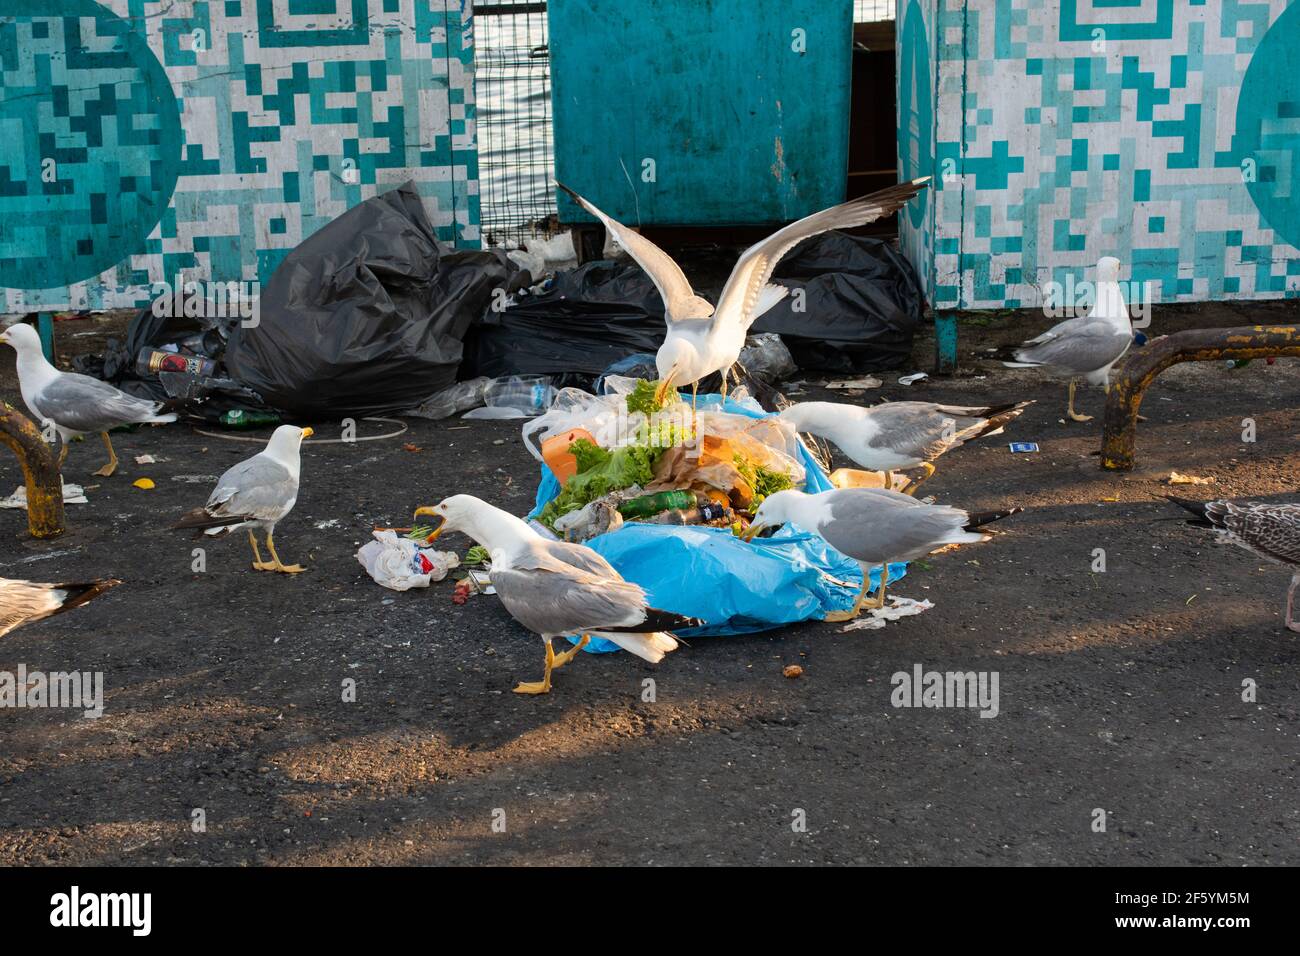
[(874, 526)]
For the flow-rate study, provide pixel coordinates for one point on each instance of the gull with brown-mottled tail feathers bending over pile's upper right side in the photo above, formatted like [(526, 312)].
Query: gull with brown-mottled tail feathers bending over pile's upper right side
[(900, 435)]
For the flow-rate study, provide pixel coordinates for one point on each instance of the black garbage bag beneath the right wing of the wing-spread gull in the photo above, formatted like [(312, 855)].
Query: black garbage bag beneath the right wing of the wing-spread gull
[(863, 305)]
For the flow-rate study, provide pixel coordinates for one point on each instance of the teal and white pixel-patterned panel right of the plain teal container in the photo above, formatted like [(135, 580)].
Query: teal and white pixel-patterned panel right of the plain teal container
[(1162, 132)]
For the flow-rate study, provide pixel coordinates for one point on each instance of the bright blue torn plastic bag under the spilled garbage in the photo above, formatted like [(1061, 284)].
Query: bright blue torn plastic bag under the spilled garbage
[(735, 586)]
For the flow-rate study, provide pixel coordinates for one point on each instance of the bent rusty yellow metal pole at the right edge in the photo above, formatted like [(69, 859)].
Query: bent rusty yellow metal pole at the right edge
[(1139, 370)]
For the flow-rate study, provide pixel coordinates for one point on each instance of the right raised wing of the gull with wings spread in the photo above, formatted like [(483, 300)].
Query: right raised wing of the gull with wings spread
[(744, 299)]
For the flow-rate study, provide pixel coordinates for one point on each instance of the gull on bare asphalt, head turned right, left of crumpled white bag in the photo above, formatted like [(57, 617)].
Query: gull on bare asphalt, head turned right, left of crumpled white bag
[(257, 494)]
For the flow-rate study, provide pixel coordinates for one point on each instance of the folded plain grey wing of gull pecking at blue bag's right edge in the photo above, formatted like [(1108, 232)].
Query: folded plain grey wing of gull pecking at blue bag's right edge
[(886, 526)]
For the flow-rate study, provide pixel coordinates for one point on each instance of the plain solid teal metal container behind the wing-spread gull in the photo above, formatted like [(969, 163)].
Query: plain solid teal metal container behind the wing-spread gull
[(701, 113)]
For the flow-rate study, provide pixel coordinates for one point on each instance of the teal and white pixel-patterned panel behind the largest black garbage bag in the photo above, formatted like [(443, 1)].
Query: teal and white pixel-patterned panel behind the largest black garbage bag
[(141, 140)]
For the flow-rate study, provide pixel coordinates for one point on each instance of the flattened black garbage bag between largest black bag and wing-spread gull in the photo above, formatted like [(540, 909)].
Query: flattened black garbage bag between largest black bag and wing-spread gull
[(590, 319)]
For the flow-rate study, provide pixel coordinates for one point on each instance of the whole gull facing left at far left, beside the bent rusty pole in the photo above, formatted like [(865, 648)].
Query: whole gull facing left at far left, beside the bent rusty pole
[(76, 404)]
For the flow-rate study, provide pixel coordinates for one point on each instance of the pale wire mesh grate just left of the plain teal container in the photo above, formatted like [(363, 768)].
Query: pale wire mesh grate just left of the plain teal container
[(513, 94)]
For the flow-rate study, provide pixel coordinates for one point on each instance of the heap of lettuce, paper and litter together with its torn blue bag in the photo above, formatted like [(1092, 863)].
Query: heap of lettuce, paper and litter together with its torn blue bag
[(665, 495)]
